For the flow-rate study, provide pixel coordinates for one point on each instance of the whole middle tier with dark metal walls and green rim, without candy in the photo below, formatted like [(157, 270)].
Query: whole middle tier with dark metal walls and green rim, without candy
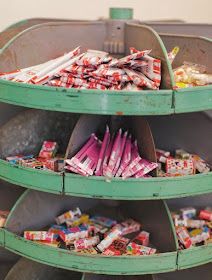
[(71, 132)]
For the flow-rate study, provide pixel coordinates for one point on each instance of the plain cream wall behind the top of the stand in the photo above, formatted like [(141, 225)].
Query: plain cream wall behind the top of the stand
[(12, 11)]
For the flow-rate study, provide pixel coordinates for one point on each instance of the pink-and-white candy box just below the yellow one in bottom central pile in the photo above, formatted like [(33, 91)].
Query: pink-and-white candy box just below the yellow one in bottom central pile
[(71, 234)]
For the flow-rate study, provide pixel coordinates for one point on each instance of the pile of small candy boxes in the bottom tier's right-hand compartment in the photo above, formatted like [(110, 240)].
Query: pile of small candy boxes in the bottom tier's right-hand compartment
[(193, 227)]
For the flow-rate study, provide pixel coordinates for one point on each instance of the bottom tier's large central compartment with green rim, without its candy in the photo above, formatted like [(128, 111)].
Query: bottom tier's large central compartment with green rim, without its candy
[(36, 210)]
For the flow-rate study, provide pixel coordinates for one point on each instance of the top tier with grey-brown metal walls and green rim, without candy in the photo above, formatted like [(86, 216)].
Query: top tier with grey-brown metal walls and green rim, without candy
[(40, 43)]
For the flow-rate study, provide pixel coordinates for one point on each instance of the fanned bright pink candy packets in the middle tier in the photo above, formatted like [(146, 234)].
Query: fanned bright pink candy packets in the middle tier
[(113, 157)]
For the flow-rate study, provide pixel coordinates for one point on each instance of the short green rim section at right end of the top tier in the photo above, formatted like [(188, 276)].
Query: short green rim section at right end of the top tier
[(193, 99)]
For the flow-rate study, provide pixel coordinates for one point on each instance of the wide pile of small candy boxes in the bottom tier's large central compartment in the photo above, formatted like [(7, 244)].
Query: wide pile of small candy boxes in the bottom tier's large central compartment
[(94, 235)]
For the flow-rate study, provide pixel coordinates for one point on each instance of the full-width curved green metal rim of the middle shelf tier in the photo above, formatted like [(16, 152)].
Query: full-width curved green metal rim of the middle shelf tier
[(98, 187)]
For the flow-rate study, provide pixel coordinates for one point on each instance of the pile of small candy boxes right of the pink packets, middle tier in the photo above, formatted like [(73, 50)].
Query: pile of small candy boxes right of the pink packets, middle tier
[(183, 163)]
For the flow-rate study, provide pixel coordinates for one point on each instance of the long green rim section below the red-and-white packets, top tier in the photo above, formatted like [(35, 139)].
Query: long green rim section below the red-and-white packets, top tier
[(87, 101)]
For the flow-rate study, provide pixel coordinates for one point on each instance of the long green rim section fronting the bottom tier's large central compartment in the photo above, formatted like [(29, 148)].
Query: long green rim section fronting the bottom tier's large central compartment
[(122, 265)]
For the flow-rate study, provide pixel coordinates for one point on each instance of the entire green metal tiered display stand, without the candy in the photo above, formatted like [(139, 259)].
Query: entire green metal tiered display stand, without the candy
[(156, 119)]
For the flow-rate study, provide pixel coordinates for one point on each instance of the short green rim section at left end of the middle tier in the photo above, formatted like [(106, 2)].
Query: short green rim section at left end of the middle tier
[(31, 178)]
